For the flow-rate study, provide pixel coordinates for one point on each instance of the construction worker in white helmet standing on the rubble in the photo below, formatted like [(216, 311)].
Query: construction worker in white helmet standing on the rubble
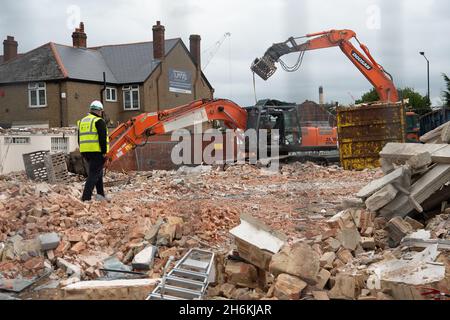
[(94, 145)]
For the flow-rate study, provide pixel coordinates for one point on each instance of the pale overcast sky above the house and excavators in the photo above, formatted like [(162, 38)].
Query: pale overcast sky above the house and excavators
[(394, 30)]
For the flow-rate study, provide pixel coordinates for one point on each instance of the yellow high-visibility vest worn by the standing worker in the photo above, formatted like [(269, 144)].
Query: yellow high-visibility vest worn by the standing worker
[(89, 141)]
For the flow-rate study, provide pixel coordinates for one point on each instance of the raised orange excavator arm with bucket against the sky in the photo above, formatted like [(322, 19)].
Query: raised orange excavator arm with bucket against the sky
[(366, 64)]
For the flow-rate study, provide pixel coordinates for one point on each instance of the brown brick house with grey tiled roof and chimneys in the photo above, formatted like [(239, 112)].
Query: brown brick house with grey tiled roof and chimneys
[(53, 85)]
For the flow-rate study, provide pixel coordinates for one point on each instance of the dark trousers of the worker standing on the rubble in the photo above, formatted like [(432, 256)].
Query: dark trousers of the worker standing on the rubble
[(95, 175)]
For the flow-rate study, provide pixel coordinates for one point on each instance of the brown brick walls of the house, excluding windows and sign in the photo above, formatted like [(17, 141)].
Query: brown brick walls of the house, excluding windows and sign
[(154, 96)]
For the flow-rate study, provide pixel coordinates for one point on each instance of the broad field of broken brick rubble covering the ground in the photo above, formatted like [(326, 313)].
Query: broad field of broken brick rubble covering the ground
[(322, 245)]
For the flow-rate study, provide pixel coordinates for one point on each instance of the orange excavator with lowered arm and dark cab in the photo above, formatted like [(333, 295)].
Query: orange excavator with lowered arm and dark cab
[(270, 116)]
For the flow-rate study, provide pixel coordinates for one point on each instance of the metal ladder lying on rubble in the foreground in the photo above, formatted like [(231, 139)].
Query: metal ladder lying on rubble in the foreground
[(188, 280)]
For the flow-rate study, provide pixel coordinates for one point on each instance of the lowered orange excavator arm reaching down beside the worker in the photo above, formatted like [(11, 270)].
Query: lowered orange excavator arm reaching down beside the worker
[(136, 131)]
